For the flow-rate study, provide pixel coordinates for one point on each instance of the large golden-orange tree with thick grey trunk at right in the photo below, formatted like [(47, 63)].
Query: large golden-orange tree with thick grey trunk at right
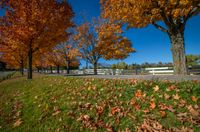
[(173, 13)]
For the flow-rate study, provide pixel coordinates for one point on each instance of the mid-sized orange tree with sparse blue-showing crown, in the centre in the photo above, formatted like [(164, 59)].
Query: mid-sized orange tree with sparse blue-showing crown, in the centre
[(93, 45)]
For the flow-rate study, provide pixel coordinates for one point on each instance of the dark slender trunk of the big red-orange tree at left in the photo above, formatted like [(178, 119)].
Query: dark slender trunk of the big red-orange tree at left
[(30, 53)]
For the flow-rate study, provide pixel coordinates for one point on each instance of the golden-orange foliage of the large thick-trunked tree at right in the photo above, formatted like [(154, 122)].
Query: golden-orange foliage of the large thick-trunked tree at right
[(140, 13)]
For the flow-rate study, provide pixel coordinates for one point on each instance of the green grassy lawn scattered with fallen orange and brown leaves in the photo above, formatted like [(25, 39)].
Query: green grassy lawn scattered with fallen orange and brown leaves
[(49, 103)]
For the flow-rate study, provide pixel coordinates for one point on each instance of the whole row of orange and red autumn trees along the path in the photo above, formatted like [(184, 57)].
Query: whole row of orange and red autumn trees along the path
[(37, 34)]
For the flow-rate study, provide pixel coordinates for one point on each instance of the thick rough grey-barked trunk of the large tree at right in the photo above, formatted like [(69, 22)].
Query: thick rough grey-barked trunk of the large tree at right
[(178, 52)]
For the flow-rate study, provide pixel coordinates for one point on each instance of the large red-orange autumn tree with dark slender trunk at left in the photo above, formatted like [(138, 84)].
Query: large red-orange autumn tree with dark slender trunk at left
[(37, 24)]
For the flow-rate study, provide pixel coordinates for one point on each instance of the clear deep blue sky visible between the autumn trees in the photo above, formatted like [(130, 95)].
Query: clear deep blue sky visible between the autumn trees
[(151, 44)]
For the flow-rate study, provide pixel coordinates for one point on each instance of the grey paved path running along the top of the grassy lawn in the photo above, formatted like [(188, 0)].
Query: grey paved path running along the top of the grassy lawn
[(145, 77)]
